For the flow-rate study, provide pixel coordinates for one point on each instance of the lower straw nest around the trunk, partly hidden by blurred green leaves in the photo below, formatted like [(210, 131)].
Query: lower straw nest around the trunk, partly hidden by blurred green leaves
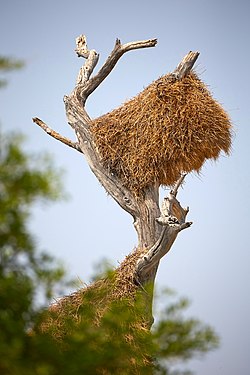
[(99, 295)]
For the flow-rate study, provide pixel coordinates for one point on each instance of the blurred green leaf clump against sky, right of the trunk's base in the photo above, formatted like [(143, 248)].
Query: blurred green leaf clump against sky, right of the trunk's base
[(180, 338)]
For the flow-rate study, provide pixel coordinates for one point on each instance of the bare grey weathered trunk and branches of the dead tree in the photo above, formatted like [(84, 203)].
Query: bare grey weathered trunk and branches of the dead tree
[(157, 228)]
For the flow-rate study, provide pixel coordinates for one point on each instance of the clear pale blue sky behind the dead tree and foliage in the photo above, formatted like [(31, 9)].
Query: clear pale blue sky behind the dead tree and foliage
[(209, 262)]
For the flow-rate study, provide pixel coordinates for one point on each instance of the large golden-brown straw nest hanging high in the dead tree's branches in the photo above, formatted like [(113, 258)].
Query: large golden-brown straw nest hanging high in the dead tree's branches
[(172, 126)]
